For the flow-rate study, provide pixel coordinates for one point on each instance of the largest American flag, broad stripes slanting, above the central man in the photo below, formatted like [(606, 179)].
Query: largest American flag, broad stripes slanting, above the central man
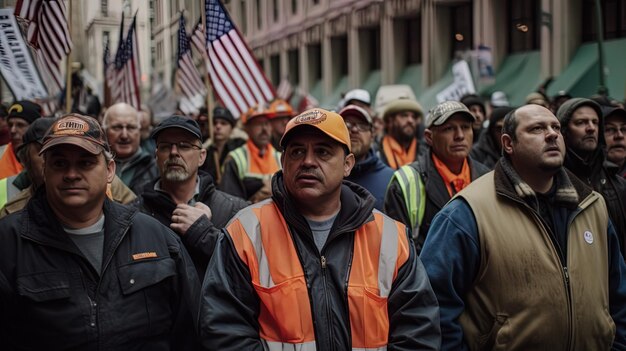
[(236, 76)]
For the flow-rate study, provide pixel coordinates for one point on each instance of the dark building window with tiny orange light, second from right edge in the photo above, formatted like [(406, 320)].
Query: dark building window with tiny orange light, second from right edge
[(523, 25)]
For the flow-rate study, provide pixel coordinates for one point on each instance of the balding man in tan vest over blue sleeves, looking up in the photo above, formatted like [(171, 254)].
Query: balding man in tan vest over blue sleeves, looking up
[(525, 257)]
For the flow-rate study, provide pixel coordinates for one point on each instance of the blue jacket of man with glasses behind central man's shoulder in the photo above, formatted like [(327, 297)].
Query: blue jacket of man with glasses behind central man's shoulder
[(372, 174)]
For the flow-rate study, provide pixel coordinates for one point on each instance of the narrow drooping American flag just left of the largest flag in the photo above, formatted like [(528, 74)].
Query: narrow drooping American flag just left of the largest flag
[(187, 76)]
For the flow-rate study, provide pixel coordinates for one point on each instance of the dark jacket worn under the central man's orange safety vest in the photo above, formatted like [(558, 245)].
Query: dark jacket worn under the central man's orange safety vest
[(230, 306)]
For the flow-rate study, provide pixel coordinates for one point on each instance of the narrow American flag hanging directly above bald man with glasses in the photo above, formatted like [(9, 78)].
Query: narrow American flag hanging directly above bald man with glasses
[(127, 69)]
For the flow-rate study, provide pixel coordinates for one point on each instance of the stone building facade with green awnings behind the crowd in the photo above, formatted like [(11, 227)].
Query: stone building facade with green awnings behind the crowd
[(330, 46)]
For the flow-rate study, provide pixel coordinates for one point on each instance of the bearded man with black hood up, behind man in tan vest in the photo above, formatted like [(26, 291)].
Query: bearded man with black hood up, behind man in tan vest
[(582, 126)]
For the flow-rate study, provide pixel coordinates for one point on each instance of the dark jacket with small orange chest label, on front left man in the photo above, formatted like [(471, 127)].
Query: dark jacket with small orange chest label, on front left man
[(51, 298)]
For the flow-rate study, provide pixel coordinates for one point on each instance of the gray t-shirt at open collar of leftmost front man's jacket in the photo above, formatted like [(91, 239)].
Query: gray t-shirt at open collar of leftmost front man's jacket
[(90, 242)]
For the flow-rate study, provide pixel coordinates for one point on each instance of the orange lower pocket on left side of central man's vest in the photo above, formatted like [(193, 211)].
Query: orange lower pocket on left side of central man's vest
[(285, 312)]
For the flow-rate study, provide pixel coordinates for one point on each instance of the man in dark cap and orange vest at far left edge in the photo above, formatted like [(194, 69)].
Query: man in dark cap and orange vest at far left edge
[(21, 115)]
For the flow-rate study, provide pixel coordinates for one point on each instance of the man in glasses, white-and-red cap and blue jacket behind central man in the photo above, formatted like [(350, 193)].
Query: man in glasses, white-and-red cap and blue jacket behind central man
[(369, 171)]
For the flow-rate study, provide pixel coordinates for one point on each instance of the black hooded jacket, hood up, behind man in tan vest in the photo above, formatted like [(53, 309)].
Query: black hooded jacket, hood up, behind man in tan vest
[(596, 171)]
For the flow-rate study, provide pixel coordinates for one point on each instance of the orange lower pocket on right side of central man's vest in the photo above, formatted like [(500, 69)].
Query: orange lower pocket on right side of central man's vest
[(369, 319)]
